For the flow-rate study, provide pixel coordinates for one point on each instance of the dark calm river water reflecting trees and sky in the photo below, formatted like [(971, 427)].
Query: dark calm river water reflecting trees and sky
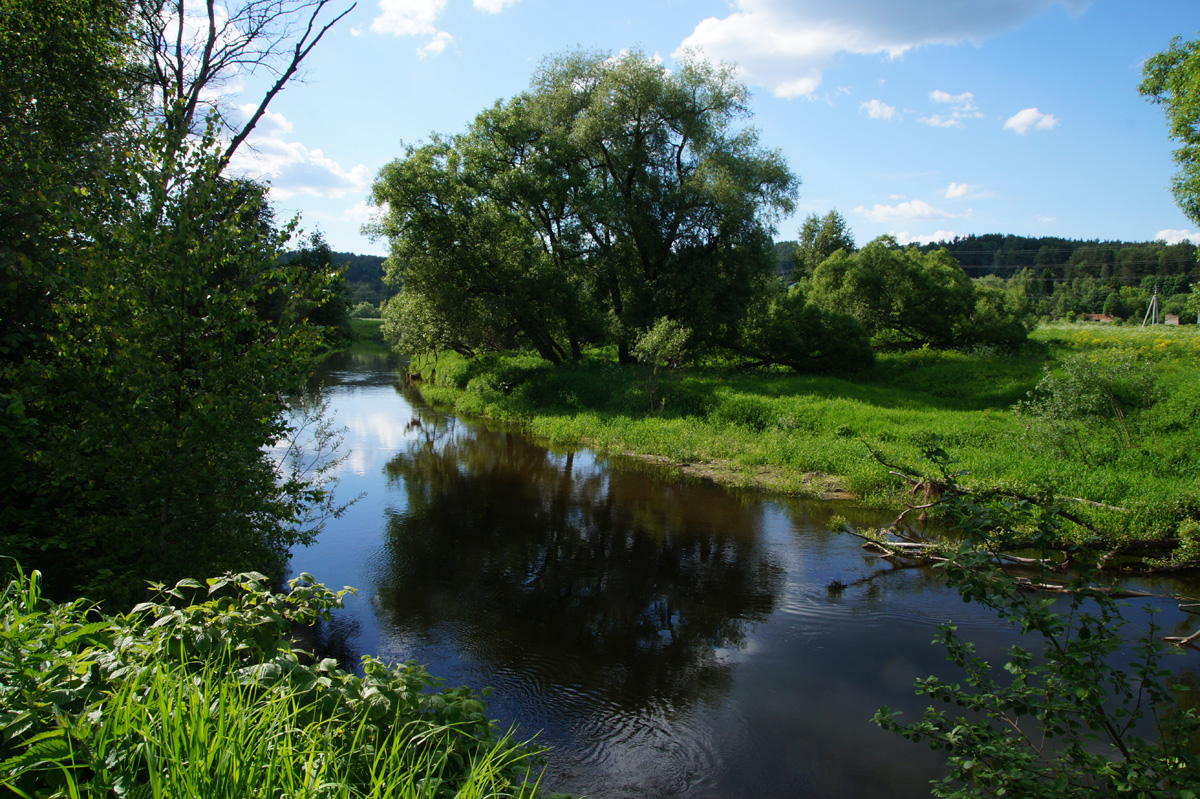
[(663, 638)]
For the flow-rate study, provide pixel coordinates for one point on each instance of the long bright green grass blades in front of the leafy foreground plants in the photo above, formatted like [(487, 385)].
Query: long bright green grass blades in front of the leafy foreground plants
[(176, 734)]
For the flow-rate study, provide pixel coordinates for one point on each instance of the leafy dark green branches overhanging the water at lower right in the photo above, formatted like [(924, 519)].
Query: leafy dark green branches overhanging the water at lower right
[(1083, 711)]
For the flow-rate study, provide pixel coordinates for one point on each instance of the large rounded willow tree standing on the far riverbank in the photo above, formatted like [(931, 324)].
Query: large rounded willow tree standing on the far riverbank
[(613, 194)]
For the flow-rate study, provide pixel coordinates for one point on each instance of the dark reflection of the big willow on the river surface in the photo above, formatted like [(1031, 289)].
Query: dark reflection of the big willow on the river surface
[(637, 586)]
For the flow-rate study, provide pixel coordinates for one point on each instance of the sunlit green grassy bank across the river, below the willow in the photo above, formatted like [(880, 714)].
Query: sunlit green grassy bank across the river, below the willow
[(815, 435)]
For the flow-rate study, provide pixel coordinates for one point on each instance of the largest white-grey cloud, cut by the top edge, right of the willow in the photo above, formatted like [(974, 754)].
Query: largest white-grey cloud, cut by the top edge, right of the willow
[(785, 45)]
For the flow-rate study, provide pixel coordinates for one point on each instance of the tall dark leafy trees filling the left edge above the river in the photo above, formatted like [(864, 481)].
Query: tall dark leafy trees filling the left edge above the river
[(148, 331)]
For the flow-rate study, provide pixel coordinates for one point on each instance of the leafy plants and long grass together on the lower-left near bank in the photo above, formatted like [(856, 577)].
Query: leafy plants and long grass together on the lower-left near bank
[(200, 694)]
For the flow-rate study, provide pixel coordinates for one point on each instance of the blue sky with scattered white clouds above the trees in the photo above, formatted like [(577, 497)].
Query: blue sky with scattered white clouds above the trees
[(925, 119)]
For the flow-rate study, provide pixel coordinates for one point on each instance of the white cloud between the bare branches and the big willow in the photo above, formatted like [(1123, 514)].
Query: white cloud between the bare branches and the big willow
[(291, 167)]
